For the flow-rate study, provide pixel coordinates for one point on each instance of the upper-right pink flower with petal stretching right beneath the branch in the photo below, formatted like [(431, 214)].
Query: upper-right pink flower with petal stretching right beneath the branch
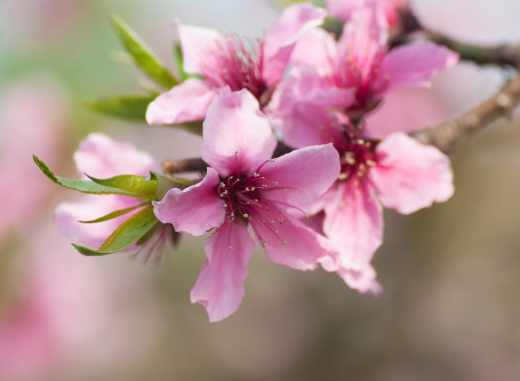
[(354, 75)]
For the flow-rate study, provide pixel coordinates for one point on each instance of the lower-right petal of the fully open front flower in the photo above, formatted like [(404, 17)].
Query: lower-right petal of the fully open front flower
[(289, 242)]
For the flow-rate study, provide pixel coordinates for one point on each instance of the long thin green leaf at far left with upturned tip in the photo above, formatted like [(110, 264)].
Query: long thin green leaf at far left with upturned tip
[(86, 186)]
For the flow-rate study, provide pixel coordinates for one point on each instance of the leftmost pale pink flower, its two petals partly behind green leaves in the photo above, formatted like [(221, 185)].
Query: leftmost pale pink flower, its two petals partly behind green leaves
[(101, 157)]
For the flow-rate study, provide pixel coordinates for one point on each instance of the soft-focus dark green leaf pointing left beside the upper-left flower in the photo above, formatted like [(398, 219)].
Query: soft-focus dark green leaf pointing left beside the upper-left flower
[(131, 107)]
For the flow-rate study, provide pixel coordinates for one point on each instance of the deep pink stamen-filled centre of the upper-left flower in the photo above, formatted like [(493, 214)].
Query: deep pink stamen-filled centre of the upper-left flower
[(232, 64)]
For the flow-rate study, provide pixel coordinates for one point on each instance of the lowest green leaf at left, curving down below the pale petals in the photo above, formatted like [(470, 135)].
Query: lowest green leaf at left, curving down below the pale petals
[(125, 235)]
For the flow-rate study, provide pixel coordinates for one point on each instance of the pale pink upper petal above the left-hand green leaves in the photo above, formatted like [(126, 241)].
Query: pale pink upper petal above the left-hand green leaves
[(100, 156)]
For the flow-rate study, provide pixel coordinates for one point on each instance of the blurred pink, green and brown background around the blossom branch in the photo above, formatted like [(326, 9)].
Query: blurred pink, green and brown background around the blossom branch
[(451, 273)]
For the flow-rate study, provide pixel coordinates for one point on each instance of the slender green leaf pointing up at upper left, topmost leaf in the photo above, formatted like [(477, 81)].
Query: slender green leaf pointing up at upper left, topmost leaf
[(142, 55)]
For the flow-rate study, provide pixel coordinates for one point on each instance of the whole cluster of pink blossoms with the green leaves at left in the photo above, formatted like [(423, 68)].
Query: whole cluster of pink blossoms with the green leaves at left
[(304, 89)]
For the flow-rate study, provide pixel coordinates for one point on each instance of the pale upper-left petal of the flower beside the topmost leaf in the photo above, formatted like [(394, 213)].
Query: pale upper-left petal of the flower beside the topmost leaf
[(195, 43)]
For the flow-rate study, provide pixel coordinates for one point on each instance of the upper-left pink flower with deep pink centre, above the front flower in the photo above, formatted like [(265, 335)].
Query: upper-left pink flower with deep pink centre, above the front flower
[(226, 61)]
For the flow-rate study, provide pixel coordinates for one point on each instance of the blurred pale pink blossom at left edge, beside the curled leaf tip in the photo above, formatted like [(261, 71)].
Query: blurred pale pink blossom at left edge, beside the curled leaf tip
[(32, 121)]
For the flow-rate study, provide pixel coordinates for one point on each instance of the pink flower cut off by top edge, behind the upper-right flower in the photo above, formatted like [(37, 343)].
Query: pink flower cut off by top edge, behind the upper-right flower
[(343, 9)]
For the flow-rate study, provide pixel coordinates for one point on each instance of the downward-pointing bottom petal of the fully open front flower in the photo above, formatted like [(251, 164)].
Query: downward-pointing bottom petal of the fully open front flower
[(220, 286)]
